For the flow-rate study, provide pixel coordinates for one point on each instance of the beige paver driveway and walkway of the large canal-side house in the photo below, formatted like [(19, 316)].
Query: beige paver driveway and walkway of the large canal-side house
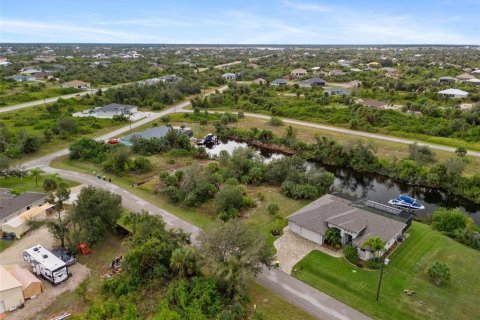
[(292, 248)]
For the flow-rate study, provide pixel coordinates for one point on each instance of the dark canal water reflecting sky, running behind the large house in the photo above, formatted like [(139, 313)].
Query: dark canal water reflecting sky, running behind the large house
[(371, 186)]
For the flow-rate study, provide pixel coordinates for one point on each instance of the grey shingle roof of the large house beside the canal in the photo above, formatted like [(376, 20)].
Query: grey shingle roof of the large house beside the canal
[(339, 212)]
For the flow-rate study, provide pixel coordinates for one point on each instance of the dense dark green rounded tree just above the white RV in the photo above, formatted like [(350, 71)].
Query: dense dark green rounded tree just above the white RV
[(95, 212)]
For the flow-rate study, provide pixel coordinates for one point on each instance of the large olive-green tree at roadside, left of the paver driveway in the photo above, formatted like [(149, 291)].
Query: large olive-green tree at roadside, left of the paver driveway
[(234, 254)]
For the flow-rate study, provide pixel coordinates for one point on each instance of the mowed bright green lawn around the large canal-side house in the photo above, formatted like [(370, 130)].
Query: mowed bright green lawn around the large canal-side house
[(458, 299)]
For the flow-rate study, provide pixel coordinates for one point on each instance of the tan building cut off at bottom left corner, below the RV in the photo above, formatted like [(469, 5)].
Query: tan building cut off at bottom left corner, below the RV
[(11, 293)]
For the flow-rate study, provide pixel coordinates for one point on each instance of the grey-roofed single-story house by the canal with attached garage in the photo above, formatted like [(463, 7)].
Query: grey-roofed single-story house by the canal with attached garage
[(356, 225)]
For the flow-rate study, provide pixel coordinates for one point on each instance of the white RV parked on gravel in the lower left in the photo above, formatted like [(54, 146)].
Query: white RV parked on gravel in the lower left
[(46, 264)]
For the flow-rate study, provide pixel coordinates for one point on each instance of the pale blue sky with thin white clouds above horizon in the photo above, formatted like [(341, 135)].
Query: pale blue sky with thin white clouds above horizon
[(242, 22)]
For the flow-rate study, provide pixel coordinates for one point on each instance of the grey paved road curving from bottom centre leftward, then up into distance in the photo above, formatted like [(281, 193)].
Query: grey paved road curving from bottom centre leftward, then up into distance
[(307, 298)]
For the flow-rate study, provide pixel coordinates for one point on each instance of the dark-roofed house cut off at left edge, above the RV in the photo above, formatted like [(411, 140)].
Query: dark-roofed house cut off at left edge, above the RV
[(11, 207)]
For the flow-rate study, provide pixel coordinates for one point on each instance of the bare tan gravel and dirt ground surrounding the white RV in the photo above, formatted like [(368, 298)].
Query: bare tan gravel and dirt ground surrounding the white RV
[(13, 255)]
